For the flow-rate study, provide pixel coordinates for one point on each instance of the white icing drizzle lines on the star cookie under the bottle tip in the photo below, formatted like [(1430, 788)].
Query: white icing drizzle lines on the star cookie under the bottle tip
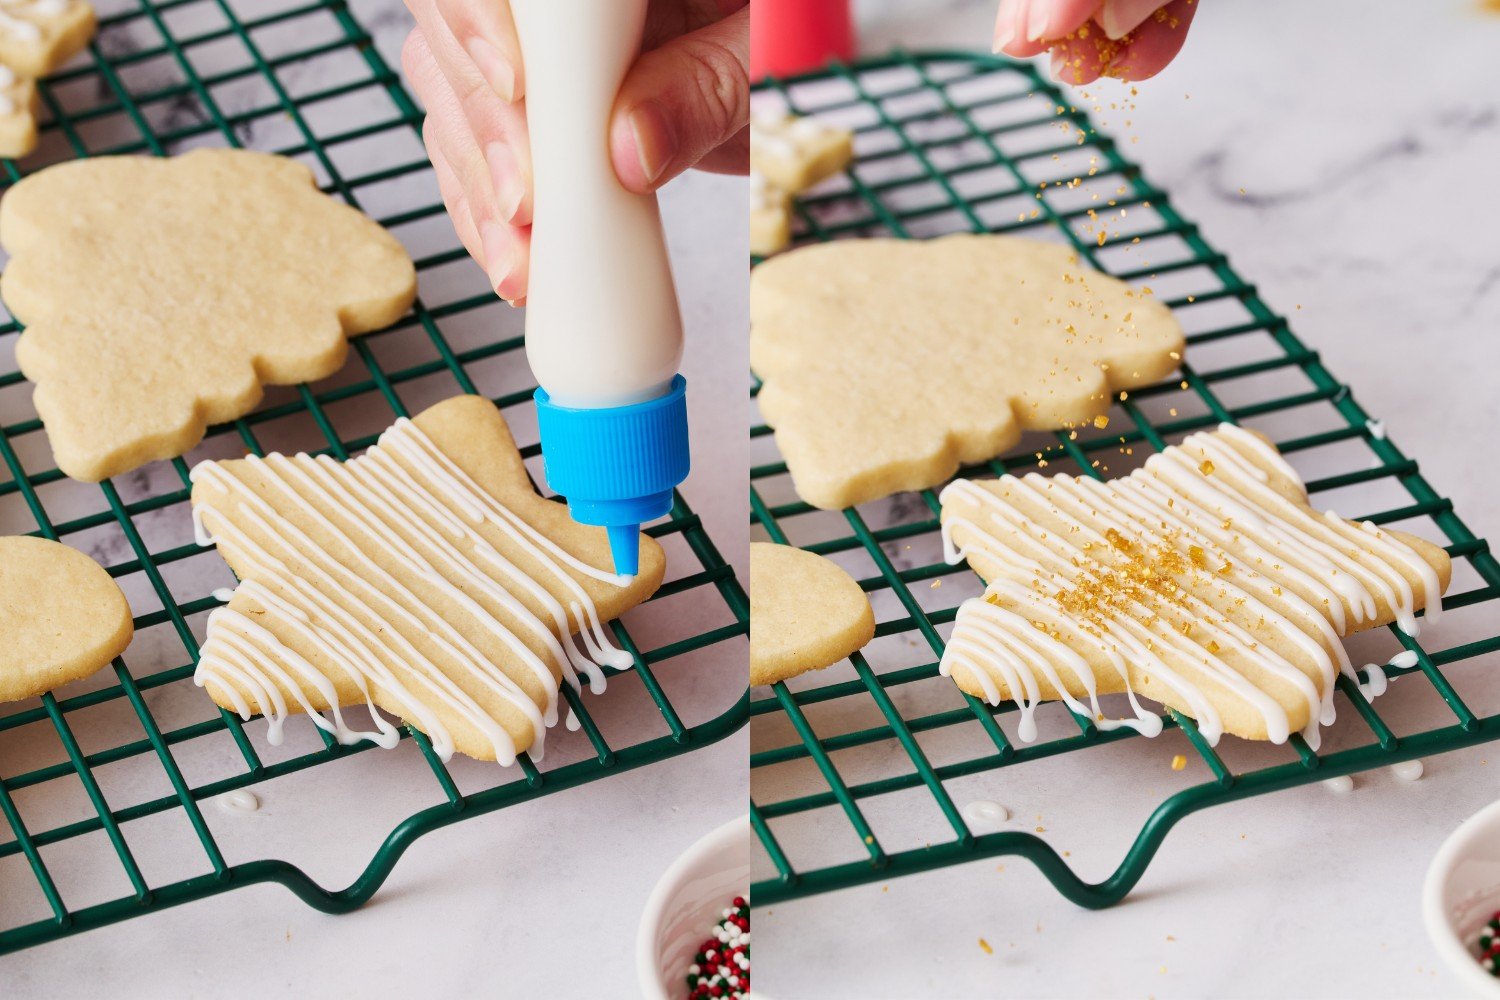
[(404, 506)]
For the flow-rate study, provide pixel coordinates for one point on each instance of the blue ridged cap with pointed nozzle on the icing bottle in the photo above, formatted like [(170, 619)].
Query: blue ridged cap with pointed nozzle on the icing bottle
[(617, 466)]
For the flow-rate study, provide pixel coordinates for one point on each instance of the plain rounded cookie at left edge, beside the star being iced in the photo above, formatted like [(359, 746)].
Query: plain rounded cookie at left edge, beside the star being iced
[(62, 618)]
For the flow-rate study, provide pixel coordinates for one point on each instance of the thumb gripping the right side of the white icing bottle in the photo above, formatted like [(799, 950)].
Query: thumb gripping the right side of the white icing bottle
[(680, 103)]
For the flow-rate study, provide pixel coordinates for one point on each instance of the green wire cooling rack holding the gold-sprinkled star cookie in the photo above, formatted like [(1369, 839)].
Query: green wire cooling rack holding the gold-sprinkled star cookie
[(848, 761)]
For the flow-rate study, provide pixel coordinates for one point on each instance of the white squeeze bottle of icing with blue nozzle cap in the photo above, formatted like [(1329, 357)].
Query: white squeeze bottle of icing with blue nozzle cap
[(604, 329)]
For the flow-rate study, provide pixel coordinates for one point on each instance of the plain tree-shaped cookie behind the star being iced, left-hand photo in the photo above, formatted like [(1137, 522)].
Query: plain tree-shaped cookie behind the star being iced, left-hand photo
[(161, 295)]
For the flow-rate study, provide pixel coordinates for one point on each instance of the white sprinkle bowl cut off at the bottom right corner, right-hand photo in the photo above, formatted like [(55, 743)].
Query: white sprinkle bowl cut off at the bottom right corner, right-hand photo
[(1462, 894)]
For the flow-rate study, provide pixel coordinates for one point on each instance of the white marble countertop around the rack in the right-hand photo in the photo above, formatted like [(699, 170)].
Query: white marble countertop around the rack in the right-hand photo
[(1363, 136)]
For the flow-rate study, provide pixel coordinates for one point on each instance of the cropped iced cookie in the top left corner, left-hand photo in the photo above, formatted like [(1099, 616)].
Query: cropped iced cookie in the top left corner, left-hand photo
[(37, 37)]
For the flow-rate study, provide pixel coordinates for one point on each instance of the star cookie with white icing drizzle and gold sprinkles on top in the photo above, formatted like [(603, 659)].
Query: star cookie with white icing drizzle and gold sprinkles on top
[(1204, 581)]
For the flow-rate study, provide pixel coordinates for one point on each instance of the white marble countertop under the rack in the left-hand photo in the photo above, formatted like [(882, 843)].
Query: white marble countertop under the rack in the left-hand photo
[(536, 900)]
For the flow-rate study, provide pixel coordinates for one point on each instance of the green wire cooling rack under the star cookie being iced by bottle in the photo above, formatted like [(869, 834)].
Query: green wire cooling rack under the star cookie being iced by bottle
[(305, 80)]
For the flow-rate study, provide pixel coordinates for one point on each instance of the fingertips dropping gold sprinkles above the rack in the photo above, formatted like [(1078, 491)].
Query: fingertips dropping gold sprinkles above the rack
[(1129, 40)]
